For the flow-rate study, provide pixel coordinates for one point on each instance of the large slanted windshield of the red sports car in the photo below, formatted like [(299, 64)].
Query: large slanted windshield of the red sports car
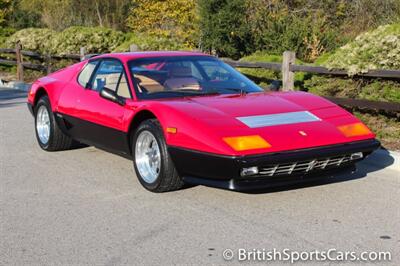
[(181, 76)]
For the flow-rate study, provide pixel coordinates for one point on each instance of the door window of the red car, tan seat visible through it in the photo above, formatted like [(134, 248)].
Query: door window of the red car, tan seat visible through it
[(110, 74)]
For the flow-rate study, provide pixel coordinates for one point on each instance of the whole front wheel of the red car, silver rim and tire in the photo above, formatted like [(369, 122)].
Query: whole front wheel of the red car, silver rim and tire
[(153, 165)]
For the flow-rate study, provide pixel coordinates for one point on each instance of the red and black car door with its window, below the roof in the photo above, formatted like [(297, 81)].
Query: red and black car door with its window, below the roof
[(99, 121)]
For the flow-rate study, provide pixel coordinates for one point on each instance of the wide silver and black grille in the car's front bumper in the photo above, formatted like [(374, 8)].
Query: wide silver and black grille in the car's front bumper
[(304, 167)]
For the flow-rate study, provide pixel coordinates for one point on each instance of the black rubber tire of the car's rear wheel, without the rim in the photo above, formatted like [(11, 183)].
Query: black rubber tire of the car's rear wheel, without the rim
[(57, 139)]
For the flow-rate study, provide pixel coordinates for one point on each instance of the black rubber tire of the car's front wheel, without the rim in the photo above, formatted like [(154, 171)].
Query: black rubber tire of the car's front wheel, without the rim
[(168, 178)]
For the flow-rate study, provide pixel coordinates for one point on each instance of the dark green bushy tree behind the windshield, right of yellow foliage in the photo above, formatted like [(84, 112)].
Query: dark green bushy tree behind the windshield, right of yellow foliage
[(224, 27)]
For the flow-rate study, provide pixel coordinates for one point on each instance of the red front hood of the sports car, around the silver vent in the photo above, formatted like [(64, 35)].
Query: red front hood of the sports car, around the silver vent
[(222, 116)]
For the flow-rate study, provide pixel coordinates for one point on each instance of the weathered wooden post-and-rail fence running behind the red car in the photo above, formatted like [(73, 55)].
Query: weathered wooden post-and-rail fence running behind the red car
[(287, 67)]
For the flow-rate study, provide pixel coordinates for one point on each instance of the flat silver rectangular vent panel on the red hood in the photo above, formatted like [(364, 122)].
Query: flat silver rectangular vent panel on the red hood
[(278, 119)]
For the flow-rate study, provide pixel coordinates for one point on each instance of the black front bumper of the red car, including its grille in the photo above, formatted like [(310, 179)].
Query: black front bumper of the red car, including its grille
[(225, 171)]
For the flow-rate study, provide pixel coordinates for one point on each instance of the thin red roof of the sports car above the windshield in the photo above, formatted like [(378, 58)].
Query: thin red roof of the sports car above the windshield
[(135, 55)]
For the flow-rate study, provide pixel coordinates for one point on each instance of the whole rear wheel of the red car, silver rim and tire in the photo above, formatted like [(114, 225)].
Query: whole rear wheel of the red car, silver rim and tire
[(48, 134)]
